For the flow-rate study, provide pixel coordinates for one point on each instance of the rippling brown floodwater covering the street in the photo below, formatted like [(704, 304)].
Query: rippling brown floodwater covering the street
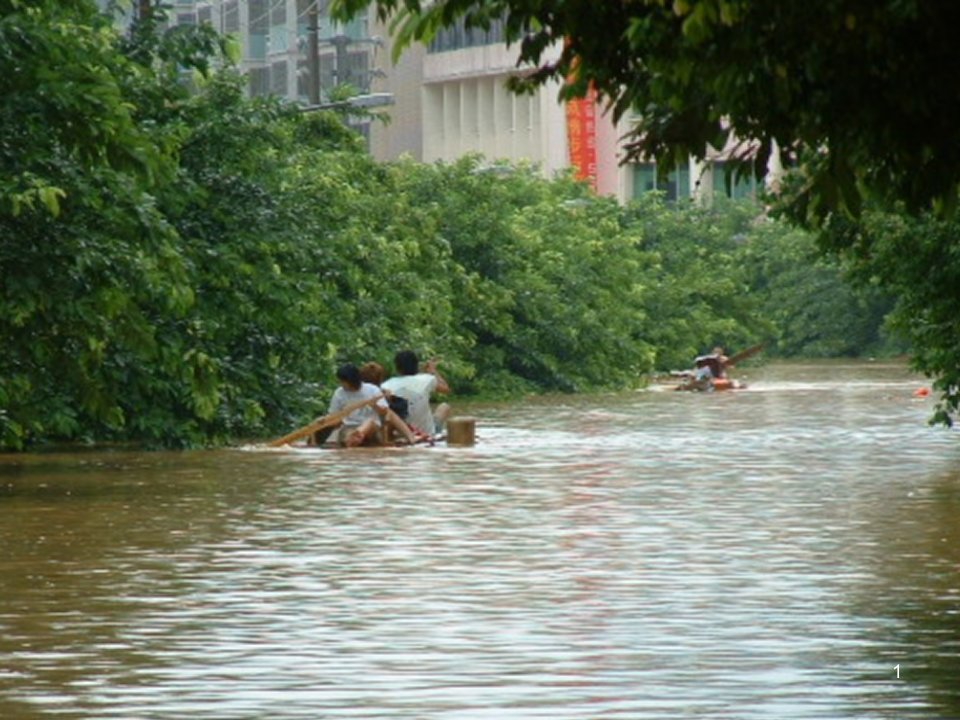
[(787, 551)]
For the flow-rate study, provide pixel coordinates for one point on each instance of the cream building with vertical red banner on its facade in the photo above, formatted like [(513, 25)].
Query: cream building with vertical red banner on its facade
[(451, 99)]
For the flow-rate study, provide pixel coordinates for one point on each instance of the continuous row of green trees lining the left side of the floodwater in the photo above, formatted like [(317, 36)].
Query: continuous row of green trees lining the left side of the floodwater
[(181, 265)]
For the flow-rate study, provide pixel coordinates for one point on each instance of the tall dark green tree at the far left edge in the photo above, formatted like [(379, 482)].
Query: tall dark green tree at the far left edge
[(83, 251)]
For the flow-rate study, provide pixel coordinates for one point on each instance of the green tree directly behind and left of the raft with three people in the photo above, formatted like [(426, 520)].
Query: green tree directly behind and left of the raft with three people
[(303, 253)]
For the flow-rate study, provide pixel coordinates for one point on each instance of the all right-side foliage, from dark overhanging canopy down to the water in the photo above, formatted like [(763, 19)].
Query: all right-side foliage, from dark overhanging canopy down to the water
[(827, 88)]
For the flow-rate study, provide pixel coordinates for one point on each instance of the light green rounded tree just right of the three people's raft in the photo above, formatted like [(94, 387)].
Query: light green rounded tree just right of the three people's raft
[(547, 291)]
